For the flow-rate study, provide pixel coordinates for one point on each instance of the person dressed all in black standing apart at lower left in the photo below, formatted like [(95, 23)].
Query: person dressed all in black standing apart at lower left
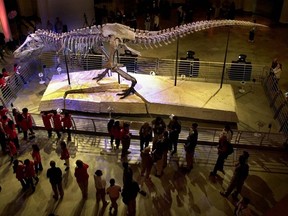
[(55, 177)]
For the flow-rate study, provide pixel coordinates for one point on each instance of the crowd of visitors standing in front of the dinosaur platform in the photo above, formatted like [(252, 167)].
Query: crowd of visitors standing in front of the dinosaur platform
[(156, 140)]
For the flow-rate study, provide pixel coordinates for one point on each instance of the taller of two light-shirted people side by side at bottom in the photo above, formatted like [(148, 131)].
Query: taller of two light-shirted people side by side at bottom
[(100, 185)]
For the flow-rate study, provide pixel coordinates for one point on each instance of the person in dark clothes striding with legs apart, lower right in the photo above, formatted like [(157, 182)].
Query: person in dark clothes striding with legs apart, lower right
[(239, 176)]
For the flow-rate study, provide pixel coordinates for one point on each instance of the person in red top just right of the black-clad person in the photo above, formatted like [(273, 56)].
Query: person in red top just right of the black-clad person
[(82, 177)]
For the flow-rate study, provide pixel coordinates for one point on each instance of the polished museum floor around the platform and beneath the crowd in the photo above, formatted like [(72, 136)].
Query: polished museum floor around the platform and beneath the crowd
[(176, 192)]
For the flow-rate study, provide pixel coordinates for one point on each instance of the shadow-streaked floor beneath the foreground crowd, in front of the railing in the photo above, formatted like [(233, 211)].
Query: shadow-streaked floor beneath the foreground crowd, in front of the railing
[(175, 193)]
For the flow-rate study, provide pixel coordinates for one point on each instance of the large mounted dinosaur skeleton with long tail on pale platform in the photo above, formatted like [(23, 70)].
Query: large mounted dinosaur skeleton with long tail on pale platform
[(81, 41)]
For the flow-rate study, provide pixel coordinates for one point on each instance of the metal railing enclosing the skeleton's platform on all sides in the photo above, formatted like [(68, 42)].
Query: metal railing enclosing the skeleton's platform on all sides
[(206, 71)]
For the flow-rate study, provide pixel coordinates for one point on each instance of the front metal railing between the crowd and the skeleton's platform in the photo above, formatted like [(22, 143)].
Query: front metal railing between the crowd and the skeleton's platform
[(207, 136)]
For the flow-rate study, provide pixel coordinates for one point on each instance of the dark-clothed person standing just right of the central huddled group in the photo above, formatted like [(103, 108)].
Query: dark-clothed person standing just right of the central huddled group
[(190, 146)]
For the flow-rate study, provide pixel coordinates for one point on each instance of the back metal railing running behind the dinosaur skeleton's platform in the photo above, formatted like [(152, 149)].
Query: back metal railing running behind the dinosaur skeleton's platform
[(187, 69)]
